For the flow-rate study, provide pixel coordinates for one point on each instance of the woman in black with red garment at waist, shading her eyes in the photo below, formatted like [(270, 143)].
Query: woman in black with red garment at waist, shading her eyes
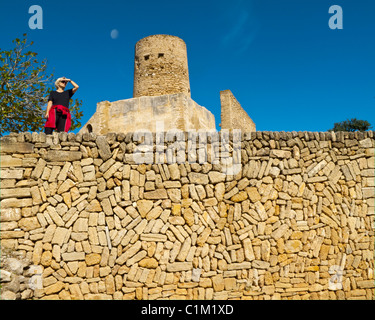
[(58, 114)]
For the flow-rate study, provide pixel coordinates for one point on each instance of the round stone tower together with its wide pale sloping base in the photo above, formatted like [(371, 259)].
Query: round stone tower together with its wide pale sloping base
[(161, 94)]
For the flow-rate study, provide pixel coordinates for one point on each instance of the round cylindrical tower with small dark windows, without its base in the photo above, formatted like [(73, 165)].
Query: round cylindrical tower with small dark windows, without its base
[(160, 66)]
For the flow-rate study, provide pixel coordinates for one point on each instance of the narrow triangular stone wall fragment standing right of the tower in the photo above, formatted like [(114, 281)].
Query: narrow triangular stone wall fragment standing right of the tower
[(233, 116)]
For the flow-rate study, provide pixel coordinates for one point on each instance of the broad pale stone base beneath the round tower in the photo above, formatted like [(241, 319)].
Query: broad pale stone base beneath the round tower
[(175, 111)]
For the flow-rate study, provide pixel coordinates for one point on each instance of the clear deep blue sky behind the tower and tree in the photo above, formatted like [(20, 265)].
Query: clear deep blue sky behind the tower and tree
[(283, 63)]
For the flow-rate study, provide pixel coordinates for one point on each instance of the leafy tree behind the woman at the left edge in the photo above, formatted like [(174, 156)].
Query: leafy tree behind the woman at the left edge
[(24, 89)]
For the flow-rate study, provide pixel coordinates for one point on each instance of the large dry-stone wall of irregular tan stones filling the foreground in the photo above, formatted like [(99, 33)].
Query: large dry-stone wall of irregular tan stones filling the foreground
[(81, 220)]
